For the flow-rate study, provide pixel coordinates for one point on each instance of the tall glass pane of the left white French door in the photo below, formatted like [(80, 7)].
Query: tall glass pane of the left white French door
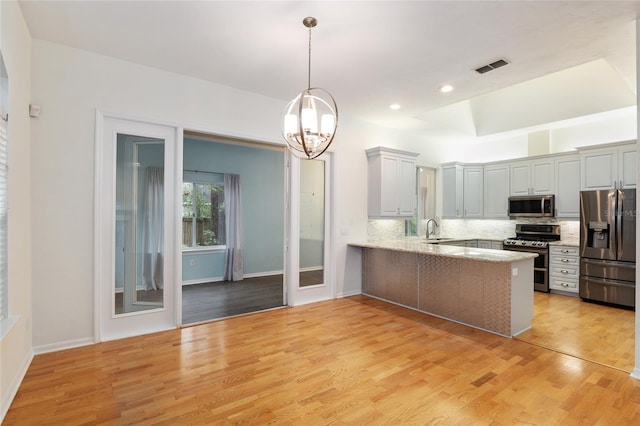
[(139, 233)]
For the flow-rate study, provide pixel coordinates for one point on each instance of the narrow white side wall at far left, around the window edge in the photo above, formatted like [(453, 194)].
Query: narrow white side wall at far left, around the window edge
[(15, 346)]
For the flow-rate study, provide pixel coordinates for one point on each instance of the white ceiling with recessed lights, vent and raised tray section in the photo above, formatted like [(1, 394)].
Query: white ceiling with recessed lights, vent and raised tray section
[(567, 59)]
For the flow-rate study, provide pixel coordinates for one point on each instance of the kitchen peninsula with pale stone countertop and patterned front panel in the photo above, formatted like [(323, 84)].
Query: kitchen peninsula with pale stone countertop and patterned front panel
[(487, 289)]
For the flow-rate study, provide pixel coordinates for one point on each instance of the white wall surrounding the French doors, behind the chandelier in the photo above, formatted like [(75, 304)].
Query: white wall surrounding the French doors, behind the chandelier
[(69, 84)]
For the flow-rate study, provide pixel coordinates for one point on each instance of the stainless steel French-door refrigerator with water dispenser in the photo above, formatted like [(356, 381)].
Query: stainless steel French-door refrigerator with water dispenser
[(608, 246)]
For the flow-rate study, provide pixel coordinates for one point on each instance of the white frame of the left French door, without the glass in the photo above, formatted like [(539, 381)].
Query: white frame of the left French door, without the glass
[(107, 325)]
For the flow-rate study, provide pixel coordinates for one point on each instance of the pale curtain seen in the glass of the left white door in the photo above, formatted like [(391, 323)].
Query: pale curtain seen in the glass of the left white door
[(152, 229)]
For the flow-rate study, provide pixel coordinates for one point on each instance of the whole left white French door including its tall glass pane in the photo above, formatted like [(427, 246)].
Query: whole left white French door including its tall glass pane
[(136, 259)]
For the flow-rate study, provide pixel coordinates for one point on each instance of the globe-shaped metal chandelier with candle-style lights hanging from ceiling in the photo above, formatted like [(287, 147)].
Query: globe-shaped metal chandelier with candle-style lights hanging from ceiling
[(311, 118)]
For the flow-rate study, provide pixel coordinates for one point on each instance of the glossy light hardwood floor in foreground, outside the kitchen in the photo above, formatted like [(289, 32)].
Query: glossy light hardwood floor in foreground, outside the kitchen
[(351, 361)]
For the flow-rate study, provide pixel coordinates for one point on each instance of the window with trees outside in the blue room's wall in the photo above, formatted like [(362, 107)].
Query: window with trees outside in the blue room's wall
[(203, 221)]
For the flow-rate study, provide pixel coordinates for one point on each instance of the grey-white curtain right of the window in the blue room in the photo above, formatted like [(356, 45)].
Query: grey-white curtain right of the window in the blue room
[(233, 262)]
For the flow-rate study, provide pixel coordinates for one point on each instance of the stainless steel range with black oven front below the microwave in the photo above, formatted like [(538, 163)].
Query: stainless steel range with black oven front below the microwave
[(535, 238)]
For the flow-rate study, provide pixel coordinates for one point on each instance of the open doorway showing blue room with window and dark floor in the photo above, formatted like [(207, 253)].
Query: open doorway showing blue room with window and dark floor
[(211, 287)]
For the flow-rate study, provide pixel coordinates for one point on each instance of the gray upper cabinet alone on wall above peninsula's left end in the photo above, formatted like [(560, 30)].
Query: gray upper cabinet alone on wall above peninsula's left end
[(391, 183)]
